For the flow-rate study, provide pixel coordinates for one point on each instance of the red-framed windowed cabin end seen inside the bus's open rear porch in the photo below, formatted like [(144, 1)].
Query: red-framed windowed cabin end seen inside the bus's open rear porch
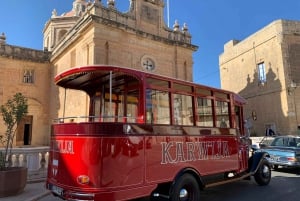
[(119, 106)]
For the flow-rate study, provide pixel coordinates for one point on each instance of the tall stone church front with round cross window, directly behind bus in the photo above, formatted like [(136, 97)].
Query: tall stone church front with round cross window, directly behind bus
[(101, 34)]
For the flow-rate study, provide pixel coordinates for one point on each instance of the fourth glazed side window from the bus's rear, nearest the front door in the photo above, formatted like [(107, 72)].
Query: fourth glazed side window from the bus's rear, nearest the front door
[(222, 114)]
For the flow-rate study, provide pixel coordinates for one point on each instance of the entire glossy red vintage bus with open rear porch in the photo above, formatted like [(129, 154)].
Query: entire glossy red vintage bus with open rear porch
[(148, 135)]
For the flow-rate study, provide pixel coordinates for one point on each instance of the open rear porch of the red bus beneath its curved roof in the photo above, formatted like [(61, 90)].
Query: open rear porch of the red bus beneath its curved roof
[(114, 96)]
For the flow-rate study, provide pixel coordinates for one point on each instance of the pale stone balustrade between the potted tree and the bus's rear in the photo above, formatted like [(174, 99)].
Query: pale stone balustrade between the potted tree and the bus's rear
[(34, 158)]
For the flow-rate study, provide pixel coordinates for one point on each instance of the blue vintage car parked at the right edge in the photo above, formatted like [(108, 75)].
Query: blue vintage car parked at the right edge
[(283, 151)]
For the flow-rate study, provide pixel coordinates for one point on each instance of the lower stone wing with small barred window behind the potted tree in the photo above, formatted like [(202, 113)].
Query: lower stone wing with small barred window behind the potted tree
[(27, 71)]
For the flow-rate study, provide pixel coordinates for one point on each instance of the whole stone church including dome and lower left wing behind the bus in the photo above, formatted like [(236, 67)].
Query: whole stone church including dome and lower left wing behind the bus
[(91, 33)]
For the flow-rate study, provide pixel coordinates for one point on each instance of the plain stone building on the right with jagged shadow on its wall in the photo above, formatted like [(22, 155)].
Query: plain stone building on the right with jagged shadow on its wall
[(264, 69)]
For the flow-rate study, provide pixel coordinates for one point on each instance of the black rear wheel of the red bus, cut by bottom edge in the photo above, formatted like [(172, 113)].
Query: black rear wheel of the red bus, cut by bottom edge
[(186, 188)]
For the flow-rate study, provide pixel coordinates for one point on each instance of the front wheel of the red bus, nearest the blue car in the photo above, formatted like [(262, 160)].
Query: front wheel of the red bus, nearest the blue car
[(263, 174)]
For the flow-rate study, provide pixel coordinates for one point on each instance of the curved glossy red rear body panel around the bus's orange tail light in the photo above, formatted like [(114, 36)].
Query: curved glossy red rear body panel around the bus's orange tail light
[(109, 161)]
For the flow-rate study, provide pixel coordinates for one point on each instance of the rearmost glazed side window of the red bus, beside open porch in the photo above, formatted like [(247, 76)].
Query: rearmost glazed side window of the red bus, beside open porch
[(157, 107)]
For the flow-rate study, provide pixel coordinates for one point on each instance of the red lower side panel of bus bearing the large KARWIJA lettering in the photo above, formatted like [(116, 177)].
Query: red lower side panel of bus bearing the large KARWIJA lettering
[(208, 155)]
